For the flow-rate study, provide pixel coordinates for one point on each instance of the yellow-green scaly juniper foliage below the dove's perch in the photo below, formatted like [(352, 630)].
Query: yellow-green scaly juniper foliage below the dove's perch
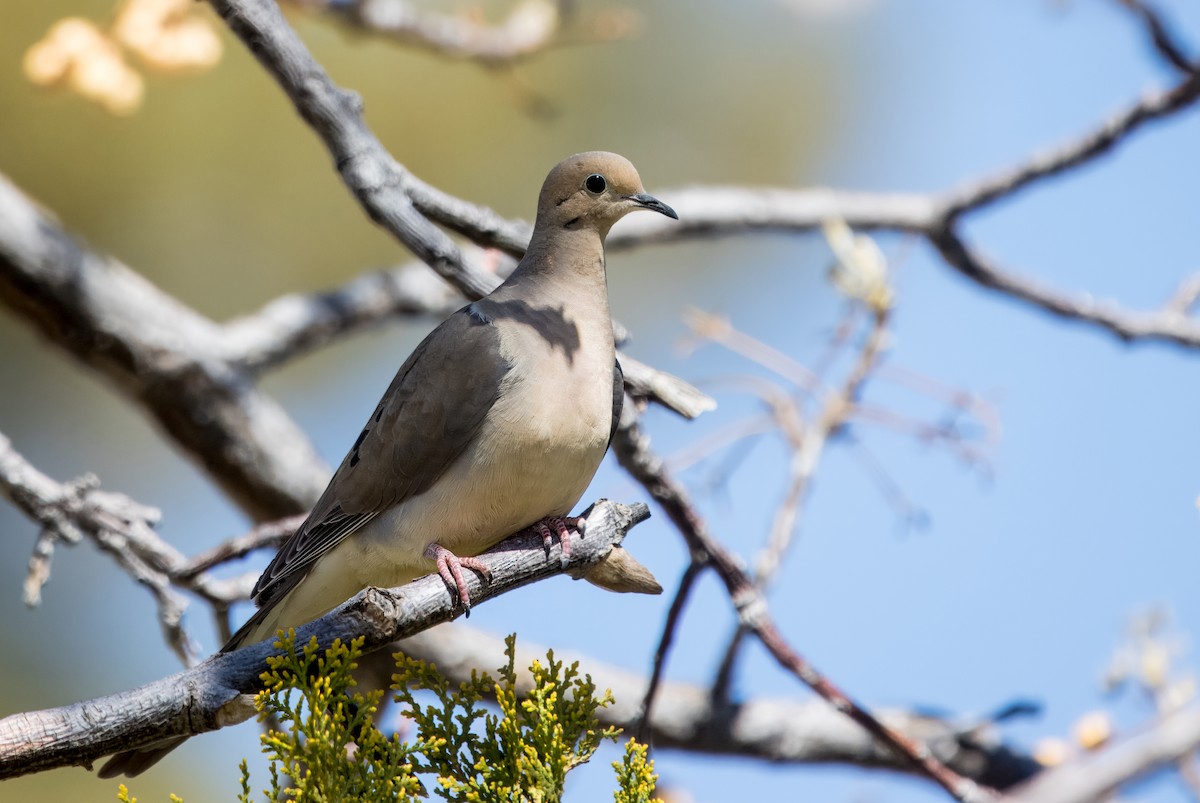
[(465, 752)]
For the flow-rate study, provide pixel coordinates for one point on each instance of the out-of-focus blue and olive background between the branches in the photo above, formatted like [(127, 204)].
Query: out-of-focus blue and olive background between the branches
[(1018, 580)]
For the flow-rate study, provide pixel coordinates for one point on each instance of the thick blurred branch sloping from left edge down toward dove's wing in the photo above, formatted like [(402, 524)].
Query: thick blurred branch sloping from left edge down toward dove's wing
[(161, 355)]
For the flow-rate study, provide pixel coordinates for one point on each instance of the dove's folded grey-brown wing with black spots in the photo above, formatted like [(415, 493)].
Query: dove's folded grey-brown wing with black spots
[(429, 416)]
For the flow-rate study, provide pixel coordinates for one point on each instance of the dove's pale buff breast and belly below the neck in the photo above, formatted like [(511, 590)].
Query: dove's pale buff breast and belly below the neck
[(536, 454)]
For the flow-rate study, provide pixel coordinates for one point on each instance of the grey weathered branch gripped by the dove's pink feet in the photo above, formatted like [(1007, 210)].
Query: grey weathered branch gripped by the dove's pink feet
[(207, 697)]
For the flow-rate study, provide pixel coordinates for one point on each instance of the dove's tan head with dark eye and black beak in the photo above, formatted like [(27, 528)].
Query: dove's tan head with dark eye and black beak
[(595, 191)]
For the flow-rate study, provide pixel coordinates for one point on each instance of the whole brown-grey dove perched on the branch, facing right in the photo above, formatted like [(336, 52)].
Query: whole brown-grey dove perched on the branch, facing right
[(496, 423)]
